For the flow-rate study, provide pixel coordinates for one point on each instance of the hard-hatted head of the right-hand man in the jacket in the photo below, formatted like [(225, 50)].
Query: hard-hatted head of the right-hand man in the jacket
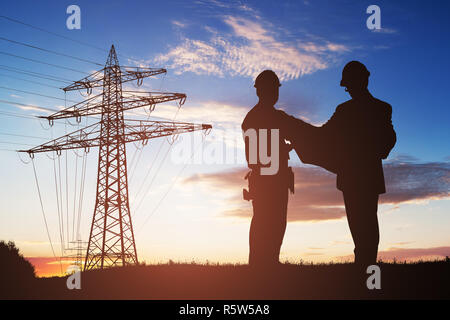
[(355, 78)]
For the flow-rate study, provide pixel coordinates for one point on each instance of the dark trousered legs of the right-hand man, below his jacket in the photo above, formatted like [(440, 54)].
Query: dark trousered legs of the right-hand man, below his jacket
[(361, 208)]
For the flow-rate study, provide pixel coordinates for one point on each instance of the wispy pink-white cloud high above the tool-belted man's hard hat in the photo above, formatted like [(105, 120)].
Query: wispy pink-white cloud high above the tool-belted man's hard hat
[(248, 47)]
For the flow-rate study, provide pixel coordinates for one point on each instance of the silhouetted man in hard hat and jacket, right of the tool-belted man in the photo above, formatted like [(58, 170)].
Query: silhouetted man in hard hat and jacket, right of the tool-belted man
[(352, 144)]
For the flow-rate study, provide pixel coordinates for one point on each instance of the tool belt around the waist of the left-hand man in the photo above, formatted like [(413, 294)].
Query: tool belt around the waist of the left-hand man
[(255, 179)]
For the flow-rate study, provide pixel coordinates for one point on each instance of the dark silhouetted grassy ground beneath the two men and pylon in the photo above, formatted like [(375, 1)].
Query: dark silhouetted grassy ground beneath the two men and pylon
[(425, 280)]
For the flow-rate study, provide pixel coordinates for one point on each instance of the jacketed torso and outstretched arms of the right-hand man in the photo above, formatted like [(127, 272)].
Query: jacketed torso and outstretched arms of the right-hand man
[(351, 144)]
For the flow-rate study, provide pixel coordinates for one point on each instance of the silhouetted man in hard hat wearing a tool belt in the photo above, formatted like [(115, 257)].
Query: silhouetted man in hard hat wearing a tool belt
[(270, 178)]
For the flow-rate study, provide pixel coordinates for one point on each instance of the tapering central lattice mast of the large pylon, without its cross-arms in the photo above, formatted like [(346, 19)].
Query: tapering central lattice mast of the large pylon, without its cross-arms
[(111, 236)]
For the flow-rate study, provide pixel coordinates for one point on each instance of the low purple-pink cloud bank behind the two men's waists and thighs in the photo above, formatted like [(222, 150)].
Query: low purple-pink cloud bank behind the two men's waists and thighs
[(316, 197)]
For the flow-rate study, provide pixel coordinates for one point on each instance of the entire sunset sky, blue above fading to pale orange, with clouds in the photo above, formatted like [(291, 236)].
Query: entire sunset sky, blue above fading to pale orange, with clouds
[(190, 207)]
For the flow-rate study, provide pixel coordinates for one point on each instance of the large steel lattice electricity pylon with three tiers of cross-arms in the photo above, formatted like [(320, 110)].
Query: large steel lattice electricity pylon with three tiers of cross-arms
[(111, 239)]
